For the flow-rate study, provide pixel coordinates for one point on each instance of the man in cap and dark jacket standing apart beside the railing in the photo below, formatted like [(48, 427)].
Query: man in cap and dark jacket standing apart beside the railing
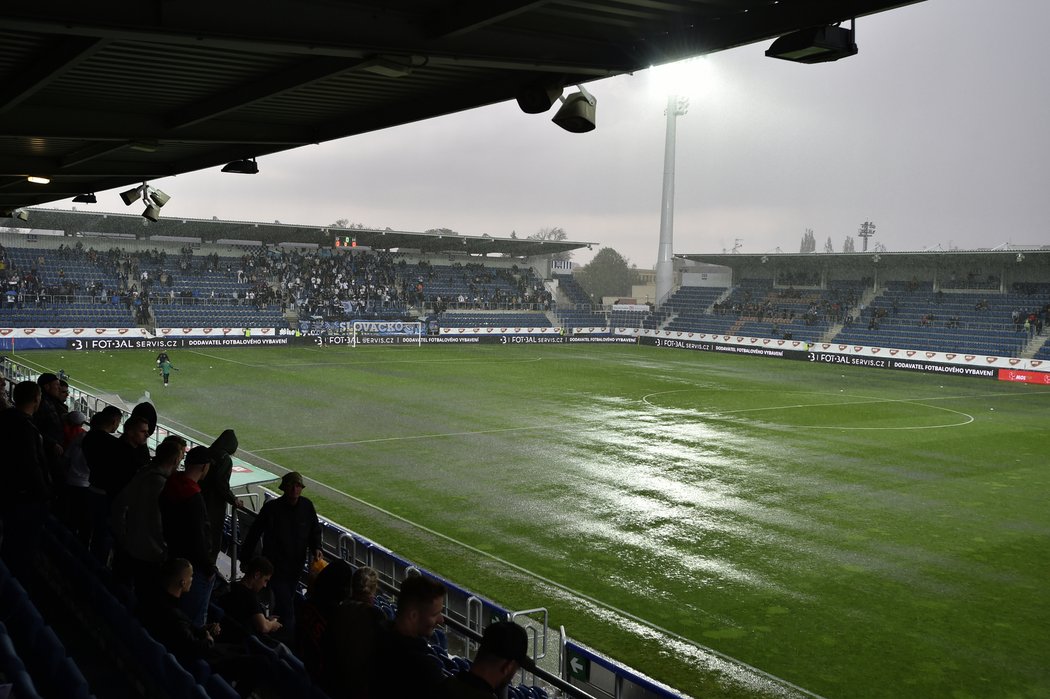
[(290, 532)]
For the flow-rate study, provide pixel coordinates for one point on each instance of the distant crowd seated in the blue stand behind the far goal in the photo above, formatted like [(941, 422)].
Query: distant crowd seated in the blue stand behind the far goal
[(320, 285)]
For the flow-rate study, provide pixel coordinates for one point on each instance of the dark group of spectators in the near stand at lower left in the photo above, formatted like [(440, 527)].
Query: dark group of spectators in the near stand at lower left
[(149, 517)]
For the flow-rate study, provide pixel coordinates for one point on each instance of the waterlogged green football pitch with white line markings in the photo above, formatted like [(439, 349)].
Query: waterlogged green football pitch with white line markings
[(865, 534)]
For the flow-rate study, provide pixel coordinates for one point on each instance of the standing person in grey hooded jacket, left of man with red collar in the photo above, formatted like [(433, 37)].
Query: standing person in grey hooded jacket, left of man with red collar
[(140, 548)]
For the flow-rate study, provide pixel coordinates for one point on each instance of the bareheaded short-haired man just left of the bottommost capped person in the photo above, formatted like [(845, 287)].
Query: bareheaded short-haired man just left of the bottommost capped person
[(406, 668)]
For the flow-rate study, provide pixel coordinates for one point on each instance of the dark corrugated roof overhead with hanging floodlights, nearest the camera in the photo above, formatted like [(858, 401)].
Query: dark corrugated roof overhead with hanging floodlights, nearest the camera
[(109, 95)]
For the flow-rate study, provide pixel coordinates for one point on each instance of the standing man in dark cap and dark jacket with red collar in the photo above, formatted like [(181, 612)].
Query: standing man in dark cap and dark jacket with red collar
[(187, 531)]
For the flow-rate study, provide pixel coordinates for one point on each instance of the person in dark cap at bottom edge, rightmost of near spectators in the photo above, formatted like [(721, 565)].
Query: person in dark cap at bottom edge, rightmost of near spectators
[(503, 652)]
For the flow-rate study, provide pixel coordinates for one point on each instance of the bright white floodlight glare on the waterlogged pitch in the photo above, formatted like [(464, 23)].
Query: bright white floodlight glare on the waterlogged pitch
[(664, 490)]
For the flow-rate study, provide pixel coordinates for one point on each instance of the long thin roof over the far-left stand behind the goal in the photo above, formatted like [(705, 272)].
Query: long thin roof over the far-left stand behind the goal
[(87, 224)]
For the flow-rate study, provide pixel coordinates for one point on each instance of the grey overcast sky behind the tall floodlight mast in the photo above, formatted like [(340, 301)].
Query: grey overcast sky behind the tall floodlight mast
[(938, 132)]
